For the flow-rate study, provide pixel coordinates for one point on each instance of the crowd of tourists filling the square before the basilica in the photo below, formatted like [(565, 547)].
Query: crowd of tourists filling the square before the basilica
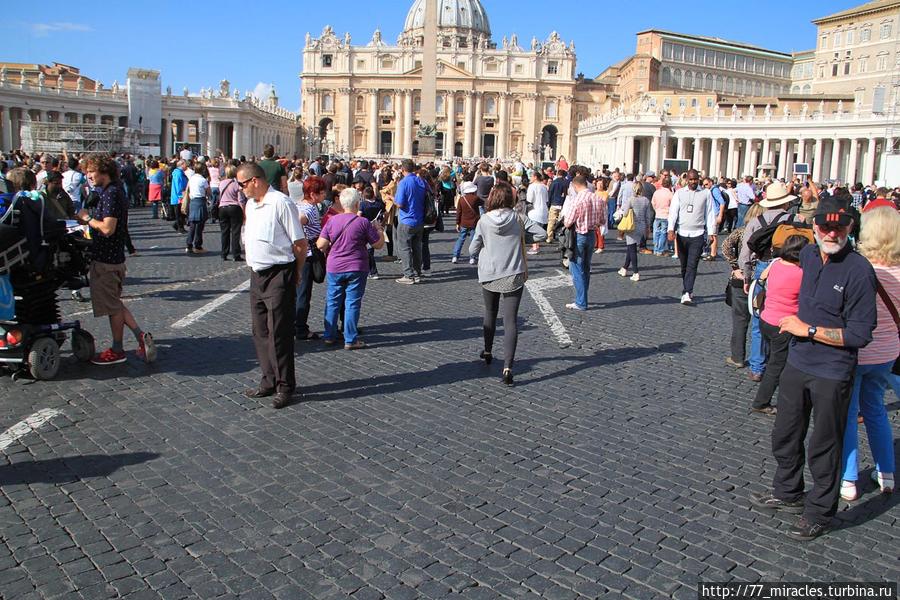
[(823, 337)]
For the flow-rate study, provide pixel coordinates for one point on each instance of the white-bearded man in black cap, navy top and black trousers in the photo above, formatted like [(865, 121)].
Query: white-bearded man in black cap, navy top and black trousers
[(836, 317)]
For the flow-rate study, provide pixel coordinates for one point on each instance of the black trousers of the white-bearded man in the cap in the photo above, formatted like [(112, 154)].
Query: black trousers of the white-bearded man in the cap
[(828, 400)]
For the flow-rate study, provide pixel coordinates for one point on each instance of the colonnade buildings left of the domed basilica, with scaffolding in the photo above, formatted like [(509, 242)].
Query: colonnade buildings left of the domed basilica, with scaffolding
[(41, 102)]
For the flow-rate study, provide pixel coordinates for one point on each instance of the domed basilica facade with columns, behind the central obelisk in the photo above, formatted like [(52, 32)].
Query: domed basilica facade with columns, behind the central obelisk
[(493, 100)]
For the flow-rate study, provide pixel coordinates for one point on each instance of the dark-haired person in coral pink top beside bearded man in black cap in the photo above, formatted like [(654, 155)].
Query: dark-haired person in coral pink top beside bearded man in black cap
[(783, 279)]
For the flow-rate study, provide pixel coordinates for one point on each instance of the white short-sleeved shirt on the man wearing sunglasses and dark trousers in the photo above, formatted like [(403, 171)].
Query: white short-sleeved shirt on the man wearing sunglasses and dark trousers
[(272, 227)]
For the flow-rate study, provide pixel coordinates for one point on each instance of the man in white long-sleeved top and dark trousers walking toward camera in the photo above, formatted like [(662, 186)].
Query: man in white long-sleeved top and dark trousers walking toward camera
[(692, 216)]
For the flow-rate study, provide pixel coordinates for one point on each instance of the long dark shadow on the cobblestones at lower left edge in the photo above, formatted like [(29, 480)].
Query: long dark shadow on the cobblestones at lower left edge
[(70, 468)]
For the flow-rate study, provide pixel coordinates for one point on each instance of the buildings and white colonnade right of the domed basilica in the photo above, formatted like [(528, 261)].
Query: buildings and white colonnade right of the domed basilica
[(733, 109)]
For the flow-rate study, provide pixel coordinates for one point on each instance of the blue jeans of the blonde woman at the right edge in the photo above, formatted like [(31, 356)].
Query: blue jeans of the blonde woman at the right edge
[(869, 385)]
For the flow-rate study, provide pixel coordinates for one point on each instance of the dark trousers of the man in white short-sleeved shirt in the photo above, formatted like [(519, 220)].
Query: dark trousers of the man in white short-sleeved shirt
[(272, 299)]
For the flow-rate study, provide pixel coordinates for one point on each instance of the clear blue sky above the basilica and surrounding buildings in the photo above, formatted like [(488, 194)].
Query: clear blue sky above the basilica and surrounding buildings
[(226, 40)]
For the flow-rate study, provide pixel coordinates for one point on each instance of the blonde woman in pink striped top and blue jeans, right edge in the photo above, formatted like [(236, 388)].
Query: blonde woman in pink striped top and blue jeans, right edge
[(880, 243)]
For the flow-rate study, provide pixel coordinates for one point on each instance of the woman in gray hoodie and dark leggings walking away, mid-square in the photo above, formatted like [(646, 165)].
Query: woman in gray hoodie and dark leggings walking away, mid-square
[(502, 271)]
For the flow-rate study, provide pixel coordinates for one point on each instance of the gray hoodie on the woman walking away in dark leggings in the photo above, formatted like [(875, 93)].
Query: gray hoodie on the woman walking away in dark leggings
[(498, 236)]
